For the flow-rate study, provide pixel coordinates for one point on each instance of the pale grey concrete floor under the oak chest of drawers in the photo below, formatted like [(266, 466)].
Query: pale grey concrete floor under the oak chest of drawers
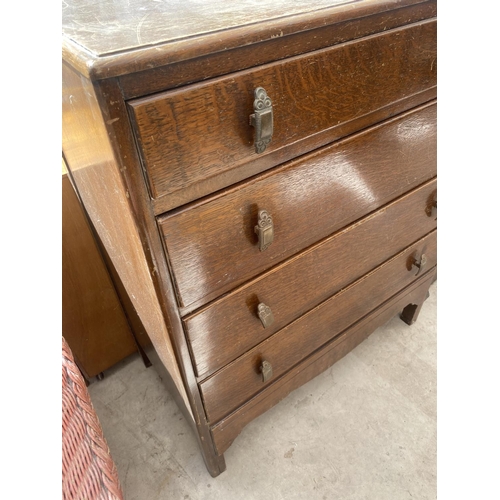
[(363, 429)]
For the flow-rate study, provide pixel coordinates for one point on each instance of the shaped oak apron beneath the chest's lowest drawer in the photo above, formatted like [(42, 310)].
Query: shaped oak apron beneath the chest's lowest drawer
[(225, 431)]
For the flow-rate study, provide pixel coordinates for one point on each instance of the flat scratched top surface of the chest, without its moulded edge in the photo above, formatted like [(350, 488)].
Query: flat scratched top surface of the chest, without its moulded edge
[(107, 26)]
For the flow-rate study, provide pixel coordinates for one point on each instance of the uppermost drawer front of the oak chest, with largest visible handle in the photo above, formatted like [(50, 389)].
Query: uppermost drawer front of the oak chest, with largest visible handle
[(198, 132)]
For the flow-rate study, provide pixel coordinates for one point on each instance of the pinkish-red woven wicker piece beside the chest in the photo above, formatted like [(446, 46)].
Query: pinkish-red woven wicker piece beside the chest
[(88, 471)]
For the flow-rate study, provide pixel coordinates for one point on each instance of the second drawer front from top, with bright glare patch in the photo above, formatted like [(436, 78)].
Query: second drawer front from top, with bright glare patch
[(213, 247)]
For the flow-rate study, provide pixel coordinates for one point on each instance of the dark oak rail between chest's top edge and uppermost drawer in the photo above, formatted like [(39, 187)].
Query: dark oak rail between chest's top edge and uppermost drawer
[(321, 33)]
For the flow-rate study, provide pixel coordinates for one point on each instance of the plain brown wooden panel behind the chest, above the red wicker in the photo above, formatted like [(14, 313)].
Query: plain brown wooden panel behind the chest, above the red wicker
[(93, 321)]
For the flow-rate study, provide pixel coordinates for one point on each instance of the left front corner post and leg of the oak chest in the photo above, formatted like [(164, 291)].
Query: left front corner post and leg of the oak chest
[(130, 169)]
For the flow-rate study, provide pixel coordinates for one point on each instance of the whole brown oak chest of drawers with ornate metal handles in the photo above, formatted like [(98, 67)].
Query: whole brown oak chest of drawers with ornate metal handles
[(264, 181)]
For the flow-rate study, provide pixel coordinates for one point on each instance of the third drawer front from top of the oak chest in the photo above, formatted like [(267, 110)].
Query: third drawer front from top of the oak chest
[(230, 326)]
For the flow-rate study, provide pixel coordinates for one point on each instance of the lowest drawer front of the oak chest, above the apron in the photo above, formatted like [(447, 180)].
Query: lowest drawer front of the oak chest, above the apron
[(240, 380)]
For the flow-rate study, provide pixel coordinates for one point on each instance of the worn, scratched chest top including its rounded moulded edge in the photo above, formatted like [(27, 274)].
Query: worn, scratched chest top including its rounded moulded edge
[(109, 38)]
